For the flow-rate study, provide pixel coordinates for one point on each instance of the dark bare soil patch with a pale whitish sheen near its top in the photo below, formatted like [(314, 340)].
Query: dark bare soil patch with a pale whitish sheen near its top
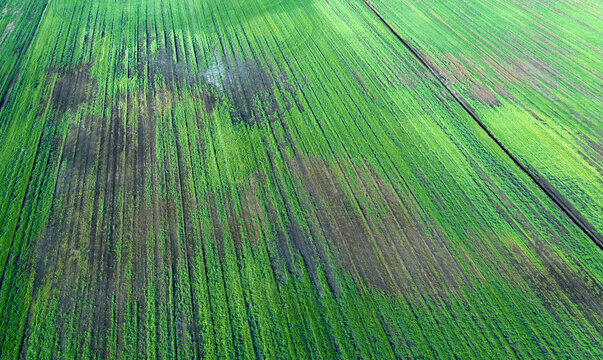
[(239, 81)]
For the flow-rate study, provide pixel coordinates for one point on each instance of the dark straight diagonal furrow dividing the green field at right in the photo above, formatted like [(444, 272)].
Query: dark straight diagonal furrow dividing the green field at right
[(575, 216)]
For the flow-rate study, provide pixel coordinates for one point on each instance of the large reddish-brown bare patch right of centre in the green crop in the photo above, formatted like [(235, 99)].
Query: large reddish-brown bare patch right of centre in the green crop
[(373, 233)]
